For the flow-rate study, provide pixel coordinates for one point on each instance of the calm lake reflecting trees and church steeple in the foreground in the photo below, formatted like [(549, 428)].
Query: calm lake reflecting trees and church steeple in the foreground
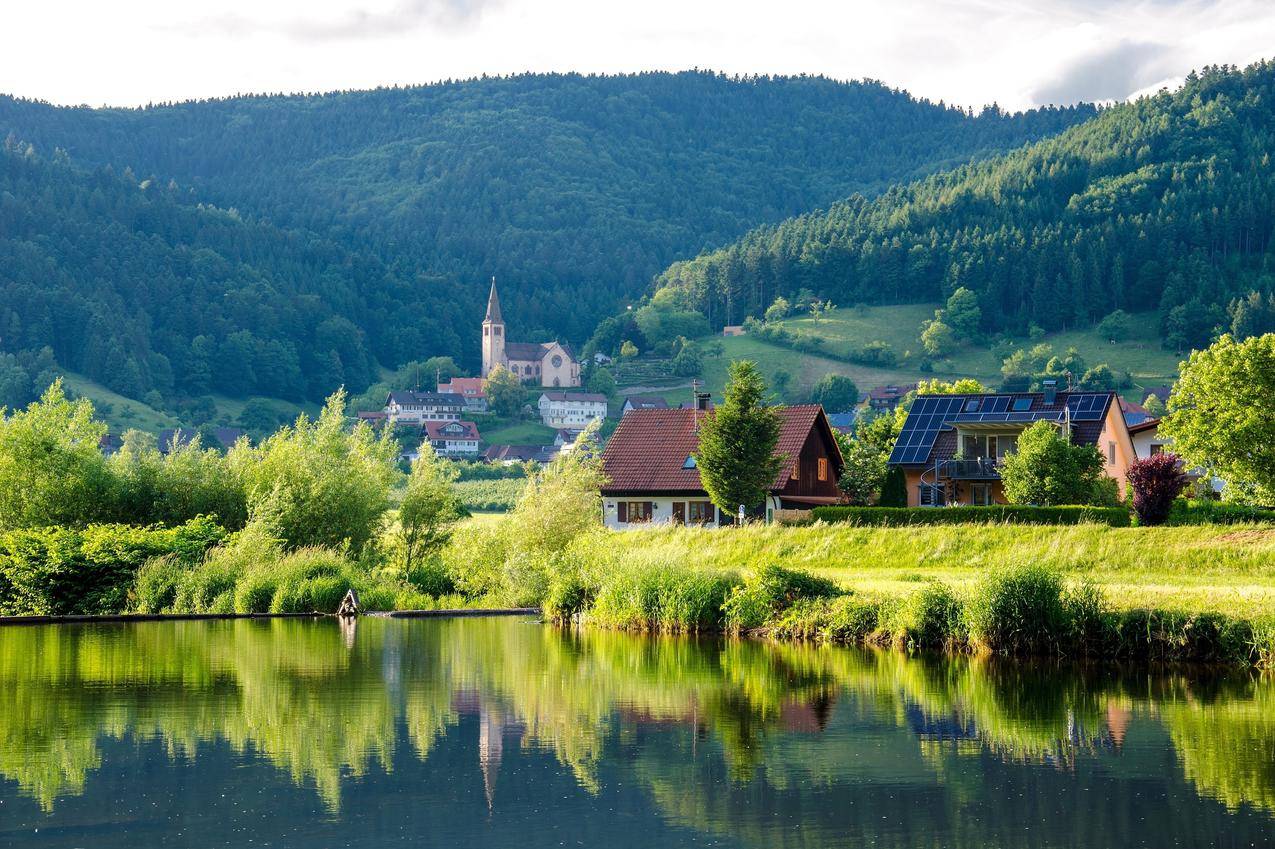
[(502, 732)]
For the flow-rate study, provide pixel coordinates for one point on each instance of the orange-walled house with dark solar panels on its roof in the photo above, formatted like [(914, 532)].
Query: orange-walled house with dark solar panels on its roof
[(952, 447)]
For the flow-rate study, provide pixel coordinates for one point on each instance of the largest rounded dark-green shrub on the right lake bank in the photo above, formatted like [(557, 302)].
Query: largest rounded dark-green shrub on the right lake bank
[(1019, 611)]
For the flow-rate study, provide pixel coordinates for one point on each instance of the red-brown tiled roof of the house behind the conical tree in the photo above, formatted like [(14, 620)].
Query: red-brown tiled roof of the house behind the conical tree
[(650, 448)]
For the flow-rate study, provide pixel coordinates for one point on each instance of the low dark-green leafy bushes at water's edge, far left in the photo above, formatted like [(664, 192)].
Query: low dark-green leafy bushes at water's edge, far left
[(58, 572)]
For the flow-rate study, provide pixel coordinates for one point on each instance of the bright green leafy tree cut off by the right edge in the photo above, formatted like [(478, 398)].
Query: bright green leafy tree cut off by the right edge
[(1222, 415)]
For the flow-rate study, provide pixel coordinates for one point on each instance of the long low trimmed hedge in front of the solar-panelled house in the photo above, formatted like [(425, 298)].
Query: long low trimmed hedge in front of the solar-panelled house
[(999, 514)]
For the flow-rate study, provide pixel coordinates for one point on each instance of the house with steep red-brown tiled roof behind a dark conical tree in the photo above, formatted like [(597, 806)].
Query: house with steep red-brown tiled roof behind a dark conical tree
[(652, 476)]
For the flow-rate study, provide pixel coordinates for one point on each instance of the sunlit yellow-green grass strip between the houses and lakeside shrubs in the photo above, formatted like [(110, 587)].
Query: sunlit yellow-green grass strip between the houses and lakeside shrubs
[(1206, 568)]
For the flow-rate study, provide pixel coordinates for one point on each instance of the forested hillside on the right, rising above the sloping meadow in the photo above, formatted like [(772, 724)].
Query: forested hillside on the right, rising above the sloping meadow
[(1166, 203)]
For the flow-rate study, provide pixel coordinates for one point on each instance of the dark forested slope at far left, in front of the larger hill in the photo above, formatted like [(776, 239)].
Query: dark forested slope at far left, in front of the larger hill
[(140, 287)]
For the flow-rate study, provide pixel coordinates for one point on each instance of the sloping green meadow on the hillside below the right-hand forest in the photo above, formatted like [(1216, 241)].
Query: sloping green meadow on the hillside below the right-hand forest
[(849, 330)]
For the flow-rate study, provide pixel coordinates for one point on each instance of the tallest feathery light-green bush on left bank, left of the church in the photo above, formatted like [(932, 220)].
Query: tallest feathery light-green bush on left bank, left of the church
[(318, 484)]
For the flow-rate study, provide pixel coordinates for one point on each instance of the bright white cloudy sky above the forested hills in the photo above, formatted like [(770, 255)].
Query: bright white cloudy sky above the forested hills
[(1017, 53)]
